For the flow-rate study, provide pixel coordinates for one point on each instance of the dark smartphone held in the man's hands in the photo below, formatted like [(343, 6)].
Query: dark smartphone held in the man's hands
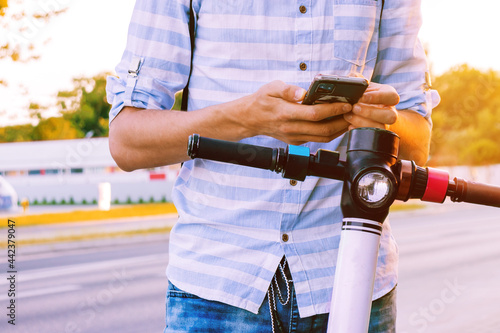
[(332, 88)]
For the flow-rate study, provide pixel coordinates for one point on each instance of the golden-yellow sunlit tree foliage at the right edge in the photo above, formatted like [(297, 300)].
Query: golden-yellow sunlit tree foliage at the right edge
[(467, 122)]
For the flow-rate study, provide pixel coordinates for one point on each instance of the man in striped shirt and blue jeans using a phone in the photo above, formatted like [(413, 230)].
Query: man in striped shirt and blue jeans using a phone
[(246, 239)]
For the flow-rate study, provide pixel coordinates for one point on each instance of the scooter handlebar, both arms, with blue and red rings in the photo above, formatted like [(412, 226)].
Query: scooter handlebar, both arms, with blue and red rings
[(427, 184)]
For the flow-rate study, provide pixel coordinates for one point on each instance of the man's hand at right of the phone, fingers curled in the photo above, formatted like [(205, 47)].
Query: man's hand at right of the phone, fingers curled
[(376, 108)]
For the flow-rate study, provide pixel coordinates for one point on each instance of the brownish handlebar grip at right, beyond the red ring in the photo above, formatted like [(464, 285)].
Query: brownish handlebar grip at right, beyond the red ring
[(476, 193)]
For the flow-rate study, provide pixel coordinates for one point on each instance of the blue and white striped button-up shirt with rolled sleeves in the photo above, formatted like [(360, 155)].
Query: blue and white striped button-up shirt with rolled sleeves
[(229, 237)]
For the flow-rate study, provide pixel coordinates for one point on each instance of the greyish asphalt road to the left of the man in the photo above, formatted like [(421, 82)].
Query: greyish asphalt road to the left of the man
[(100, 289)]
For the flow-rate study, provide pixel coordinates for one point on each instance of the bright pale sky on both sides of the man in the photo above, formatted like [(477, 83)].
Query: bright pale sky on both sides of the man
[(90, 37)]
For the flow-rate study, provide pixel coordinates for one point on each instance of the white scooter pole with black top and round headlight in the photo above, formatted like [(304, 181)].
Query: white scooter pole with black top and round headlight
[(369, 190)]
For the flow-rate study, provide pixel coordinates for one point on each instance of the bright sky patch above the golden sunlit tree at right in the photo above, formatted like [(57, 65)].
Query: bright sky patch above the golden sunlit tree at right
[(461, 31)]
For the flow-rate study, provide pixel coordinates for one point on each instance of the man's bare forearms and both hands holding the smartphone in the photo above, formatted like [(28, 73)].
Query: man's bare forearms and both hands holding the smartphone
[(147, 138)]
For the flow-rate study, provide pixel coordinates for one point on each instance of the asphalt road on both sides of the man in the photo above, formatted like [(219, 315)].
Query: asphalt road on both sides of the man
[(449, 278)]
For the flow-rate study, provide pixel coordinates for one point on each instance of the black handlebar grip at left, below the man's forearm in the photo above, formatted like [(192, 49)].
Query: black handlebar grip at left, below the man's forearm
[(232, 152)]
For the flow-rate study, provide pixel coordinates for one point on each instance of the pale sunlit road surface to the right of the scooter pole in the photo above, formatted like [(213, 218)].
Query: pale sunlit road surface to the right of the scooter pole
[(449, 278)]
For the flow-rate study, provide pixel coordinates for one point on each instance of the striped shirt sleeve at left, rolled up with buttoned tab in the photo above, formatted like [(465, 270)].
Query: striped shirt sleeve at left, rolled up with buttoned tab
[(156, 61)]
